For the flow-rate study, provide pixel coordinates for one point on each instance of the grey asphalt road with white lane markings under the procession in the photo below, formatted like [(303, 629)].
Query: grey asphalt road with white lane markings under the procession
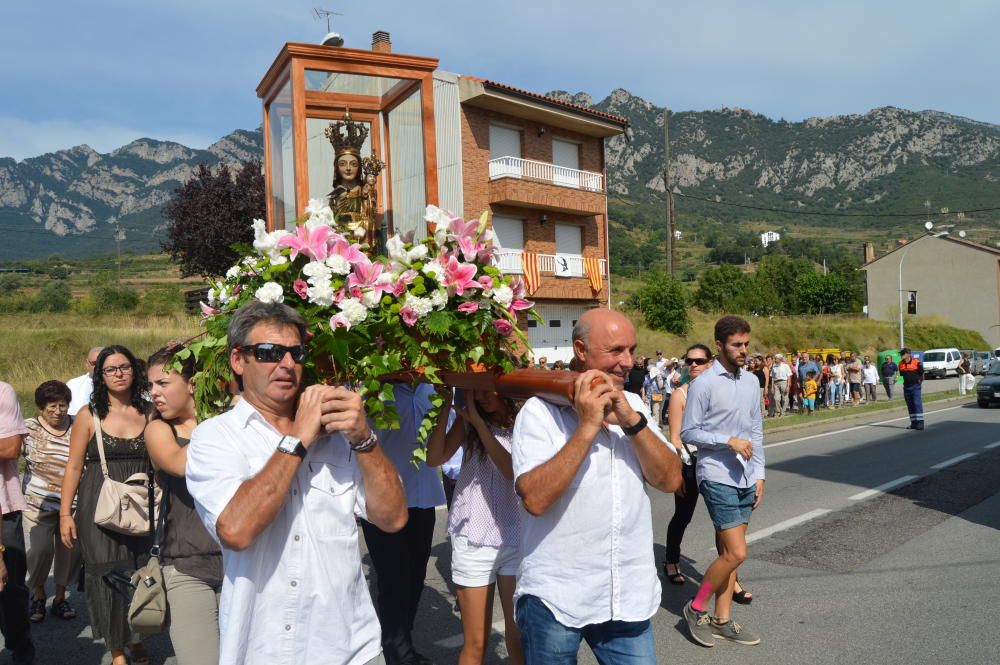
[(842, 571)]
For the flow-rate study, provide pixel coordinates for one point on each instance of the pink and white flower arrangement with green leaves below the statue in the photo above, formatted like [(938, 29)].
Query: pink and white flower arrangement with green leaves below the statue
[(421, 310)]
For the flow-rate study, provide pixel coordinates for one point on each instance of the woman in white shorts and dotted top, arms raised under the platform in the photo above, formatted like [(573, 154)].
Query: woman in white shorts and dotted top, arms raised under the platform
[(484, 520)]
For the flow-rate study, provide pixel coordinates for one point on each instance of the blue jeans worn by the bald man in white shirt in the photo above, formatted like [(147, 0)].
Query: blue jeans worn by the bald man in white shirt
[(545, 641)]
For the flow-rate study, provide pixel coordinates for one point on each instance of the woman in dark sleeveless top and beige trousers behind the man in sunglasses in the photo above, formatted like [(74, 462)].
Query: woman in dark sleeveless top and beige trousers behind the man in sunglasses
[(191, 560)]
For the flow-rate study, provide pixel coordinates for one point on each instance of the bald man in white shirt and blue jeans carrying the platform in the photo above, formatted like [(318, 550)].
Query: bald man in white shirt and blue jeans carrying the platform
[(588, 571)]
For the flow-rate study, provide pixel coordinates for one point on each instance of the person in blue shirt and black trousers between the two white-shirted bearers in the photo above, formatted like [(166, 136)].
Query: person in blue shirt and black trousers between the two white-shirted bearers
[(400, 559)]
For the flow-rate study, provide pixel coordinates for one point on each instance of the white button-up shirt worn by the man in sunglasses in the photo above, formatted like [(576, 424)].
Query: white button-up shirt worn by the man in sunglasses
[(297, 594)]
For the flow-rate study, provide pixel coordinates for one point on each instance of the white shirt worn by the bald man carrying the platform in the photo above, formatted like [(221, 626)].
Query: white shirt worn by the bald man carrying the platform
[(589, 558)]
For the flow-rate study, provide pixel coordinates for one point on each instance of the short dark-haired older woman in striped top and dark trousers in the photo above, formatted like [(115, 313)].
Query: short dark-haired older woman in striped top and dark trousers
[(46, 450)]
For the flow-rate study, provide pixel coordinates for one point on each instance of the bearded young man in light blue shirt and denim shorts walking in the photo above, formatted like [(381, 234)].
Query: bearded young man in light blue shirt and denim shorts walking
[(723, 420)]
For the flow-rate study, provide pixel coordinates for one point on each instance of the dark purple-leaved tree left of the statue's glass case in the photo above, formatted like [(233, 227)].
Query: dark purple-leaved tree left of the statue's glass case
[(210, 213)]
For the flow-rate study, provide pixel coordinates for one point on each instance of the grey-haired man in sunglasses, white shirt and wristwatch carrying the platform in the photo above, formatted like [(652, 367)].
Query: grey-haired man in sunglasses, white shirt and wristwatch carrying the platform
[(278, 481)]
